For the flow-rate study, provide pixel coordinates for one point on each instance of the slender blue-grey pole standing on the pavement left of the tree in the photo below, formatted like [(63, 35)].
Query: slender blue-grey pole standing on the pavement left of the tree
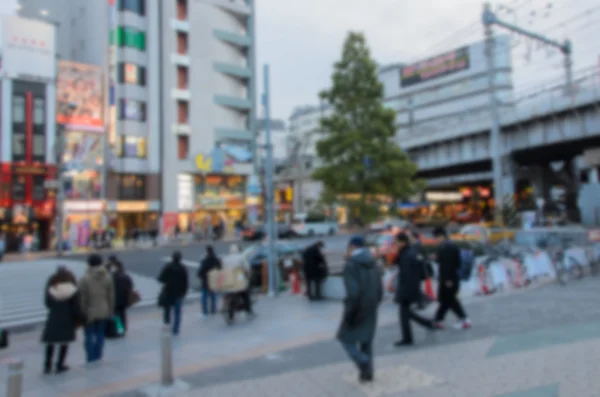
[(270, 209)]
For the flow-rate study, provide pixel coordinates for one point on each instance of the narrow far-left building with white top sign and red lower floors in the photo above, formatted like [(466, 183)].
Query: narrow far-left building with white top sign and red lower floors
[(28, 132)]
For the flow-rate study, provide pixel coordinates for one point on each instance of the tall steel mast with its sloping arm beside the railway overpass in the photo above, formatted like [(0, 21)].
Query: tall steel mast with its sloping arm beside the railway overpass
[(489, 19)]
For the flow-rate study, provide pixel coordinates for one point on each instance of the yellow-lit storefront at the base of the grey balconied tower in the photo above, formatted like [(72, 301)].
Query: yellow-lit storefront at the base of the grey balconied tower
[(219, 197)]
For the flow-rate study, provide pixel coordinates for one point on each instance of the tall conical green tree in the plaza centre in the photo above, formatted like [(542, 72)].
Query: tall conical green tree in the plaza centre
[(359, 154)]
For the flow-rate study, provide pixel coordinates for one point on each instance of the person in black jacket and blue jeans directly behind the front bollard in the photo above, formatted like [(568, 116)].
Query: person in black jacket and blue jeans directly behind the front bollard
[(174, 280)]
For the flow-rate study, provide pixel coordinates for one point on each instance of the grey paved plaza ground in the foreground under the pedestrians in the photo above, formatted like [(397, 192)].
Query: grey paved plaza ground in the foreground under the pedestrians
[(542, 342)]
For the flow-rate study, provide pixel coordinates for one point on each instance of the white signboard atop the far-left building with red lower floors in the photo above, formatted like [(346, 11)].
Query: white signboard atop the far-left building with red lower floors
[(28, 49)]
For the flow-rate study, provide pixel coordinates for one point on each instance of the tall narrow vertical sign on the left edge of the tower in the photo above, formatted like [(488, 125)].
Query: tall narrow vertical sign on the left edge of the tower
[(112, 71)]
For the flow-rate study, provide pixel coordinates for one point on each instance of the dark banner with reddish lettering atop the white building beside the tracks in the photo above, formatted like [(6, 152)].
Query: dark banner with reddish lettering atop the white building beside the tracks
[(434, 68)]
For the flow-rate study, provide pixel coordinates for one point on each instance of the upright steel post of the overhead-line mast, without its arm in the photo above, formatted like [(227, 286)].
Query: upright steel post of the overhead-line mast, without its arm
[(496, 148)]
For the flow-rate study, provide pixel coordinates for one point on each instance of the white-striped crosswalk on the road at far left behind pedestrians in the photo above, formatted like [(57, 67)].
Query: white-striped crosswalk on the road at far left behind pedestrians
[(22, 289)]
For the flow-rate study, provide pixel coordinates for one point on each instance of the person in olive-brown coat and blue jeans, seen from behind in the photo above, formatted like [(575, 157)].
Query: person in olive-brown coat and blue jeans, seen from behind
[(97, 293)]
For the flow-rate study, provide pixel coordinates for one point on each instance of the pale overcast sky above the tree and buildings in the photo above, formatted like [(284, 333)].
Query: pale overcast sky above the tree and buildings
[(302, 39)]
